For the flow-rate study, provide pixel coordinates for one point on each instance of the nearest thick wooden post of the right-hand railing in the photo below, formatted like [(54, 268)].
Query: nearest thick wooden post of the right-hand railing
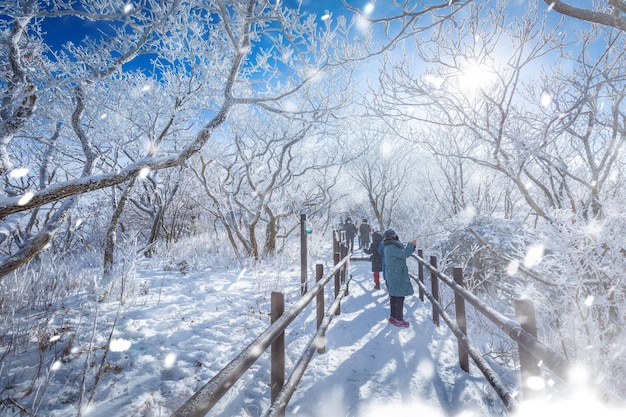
[(529, 365)]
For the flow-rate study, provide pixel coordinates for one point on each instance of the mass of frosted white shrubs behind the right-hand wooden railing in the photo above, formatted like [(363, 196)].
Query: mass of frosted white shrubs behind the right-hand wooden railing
[(571, 270)]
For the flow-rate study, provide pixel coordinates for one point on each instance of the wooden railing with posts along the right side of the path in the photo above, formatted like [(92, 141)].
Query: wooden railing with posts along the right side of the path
[(533, 354)]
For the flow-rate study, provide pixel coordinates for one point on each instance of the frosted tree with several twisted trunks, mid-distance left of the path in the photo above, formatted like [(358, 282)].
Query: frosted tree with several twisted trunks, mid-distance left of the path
[(265, 170)]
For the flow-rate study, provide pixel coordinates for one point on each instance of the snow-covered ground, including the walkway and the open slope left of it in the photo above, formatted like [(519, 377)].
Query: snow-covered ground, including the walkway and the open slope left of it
[(179, 330)]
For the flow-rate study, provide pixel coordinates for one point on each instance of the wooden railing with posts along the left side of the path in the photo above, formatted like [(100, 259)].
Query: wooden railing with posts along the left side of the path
[(274, 337)]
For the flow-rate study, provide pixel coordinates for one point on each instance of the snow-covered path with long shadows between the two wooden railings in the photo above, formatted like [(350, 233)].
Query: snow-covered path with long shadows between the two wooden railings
[(373, 368)]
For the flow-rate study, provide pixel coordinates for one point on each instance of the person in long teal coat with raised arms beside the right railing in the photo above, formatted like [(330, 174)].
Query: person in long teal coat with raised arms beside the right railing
[(397, 274)]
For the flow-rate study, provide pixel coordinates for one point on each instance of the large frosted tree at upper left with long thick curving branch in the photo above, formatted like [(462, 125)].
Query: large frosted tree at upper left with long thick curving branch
[(211, 56)]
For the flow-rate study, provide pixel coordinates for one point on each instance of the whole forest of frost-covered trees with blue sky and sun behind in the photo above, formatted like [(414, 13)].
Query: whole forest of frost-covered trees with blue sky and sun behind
[(491, 131)]
